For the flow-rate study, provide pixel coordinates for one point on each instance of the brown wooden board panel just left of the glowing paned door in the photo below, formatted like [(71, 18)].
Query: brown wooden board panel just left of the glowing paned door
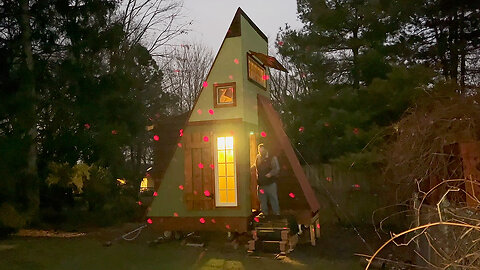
[(198, 152)]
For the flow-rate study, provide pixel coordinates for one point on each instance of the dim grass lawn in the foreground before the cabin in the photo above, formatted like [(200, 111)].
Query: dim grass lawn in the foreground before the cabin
[(87, 252)]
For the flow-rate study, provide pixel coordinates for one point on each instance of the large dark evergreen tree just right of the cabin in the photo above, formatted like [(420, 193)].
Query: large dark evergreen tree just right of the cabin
[(357, 86)]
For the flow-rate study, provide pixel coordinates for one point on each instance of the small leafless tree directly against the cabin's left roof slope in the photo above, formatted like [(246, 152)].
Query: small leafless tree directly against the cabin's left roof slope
[(185, 70)]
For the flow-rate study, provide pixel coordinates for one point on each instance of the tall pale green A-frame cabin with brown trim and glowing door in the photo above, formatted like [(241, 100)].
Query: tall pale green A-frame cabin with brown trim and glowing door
[(209, 183)]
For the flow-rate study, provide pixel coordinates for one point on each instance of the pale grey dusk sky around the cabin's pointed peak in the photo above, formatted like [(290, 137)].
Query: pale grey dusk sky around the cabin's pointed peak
[(211, 18)]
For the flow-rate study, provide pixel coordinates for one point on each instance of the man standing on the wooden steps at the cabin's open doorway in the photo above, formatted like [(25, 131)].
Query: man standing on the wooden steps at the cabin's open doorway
[(268, 170)]
